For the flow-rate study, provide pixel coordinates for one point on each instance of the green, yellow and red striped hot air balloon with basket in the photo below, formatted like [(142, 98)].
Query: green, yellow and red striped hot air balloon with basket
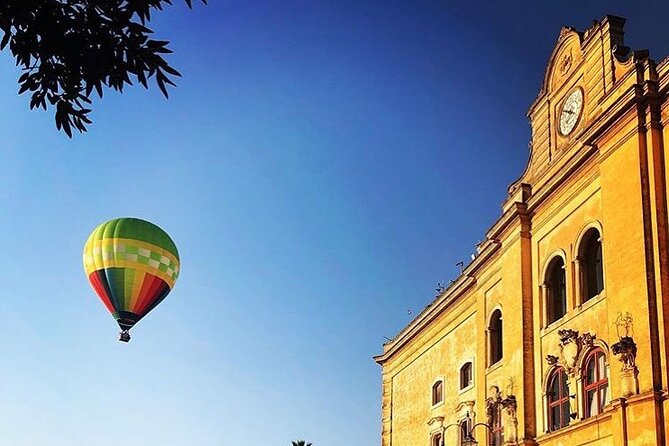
[(132, 265)]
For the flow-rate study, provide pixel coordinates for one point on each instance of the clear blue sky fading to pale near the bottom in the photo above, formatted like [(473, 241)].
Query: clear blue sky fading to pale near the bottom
[(321, 166)]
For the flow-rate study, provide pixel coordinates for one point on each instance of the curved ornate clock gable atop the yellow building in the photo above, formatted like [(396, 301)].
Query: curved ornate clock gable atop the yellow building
[(581, 73)]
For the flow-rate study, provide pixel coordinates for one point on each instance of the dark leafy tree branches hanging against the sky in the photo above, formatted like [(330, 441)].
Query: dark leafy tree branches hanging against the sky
[(69, 49)]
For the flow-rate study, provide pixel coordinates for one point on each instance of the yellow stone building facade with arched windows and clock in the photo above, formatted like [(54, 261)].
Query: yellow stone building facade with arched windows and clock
[(606, 174)]
